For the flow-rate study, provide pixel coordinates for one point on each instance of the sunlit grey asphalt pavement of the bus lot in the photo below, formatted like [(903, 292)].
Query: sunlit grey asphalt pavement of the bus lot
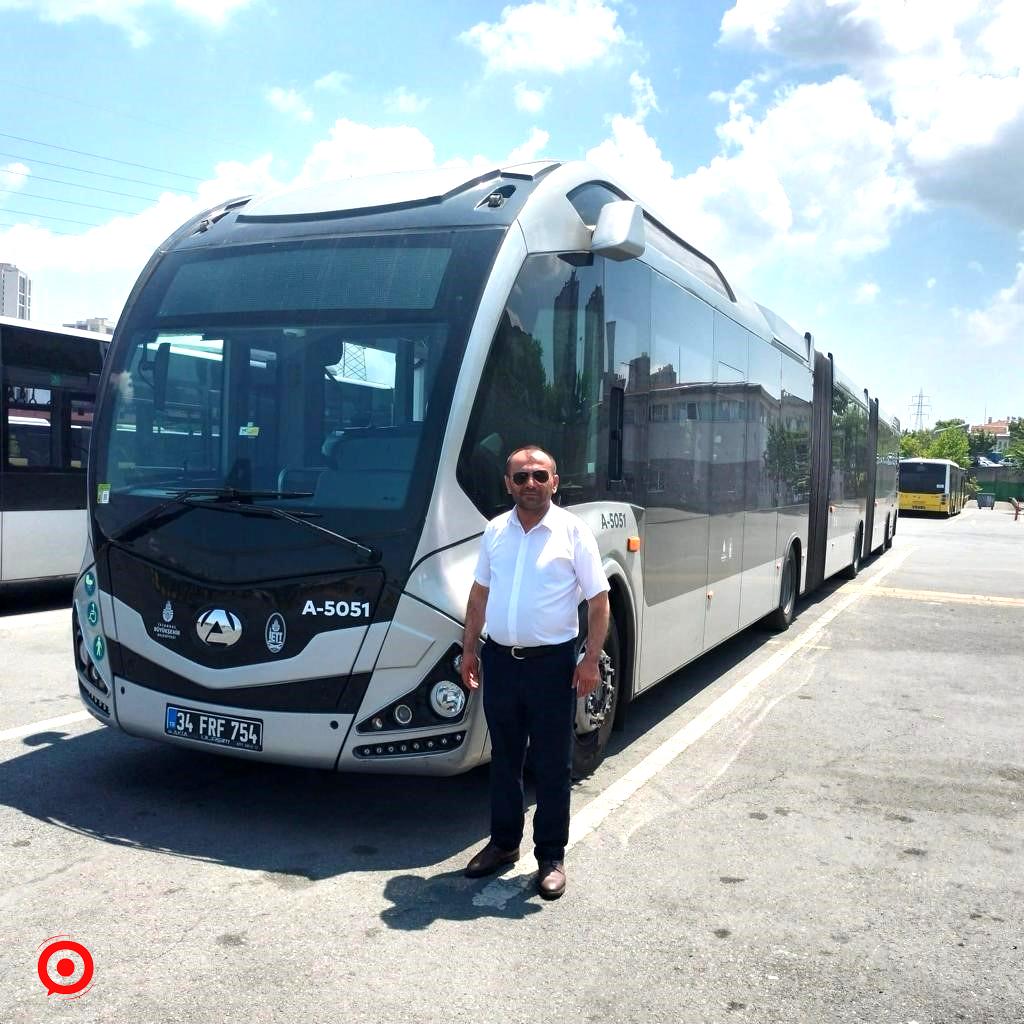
[(822, 826)]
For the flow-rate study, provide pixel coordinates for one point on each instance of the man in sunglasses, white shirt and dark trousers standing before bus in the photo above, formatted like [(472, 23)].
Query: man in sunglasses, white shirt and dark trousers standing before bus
[(535, 564)]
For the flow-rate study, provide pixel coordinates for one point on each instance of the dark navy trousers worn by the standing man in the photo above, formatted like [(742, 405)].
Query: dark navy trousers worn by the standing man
[(533, 701)]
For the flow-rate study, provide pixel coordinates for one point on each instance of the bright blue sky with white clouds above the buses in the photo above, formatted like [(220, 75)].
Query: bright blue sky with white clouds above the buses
[(856, 165)]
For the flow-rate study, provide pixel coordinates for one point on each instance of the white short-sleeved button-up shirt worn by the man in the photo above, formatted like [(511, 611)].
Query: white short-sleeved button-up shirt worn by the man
[(536, 580)]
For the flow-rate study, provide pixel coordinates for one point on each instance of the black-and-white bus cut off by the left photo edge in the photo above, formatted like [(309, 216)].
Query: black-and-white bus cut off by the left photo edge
[(50, 380)]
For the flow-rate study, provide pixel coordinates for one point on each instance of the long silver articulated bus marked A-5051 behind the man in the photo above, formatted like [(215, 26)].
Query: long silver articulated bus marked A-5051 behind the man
[(286, 513)]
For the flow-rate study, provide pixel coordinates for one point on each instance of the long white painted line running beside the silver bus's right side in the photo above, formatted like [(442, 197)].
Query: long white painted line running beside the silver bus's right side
[(499, 892)]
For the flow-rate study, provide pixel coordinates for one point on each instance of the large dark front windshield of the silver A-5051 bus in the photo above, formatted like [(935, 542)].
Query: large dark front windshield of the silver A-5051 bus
[(323, 369)]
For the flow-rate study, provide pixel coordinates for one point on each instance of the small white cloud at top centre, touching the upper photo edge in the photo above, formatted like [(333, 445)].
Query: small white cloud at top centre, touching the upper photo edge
[(553, 36)]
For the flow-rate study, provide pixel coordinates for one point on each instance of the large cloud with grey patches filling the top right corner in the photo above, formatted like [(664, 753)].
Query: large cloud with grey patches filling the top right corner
[(949, 71)]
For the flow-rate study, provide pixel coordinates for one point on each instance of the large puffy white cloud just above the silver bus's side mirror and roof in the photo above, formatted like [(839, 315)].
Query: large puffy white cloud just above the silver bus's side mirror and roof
[(815, 176)]
